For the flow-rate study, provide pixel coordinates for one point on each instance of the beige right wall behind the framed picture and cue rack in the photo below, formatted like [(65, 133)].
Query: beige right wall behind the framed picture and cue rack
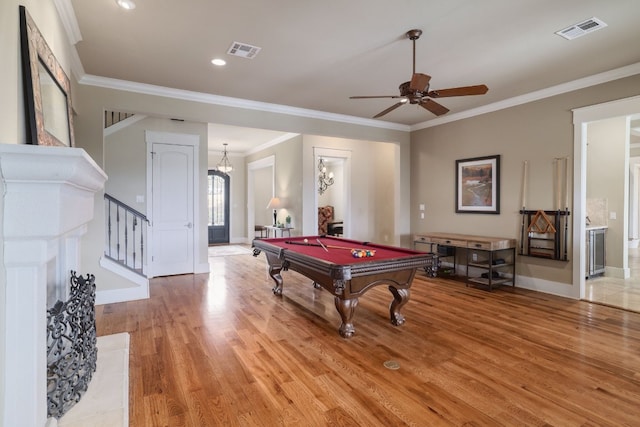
[(537, 132)]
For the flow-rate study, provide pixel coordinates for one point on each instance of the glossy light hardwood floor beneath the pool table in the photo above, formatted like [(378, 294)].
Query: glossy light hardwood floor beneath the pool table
[(221, 349)]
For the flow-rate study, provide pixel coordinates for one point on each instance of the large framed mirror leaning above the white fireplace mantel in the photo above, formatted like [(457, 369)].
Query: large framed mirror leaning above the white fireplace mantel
[(47, 94)]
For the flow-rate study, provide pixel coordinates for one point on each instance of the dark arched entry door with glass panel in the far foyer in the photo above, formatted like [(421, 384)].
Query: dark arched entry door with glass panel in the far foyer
[(218, 196)]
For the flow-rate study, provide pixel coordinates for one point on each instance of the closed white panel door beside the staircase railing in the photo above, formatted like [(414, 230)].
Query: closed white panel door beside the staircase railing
[(172, 201)]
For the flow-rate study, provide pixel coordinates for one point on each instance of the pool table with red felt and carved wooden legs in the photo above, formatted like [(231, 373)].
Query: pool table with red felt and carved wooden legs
[(328, 261)]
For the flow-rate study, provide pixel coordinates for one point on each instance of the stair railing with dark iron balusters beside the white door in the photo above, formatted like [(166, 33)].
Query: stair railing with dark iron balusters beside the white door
[(126, 235)]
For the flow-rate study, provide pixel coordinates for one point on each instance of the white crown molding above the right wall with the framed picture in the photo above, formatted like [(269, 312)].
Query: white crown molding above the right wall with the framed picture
[(596, 79)]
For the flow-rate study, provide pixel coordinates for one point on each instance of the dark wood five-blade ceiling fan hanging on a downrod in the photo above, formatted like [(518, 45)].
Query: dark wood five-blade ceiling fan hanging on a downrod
[(417, 90)]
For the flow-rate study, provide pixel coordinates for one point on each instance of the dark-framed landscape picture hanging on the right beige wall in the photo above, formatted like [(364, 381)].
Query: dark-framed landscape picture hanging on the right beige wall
[(478, 185)]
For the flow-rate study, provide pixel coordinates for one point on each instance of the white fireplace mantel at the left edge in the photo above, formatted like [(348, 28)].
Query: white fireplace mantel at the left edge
[(47, 201)]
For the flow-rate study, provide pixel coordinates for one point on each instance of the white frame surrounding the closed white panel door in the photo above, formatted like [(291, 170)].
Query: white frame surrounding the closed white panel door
[(190, 140)]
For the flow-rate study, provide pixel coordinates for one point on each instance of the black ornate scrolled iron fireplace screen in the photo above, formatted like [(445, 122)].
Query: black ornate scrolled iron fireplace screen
[(71, 346)]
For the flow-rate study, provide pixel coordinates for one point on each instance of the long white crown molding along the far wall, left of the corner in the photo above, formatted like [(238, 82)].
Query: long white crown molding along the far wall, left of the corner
[(147, 89)]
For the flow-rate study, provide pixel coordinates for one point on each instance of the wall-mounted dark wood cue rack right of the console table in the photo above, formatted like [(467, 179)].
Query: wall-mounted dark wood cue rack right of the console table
[(544, 234)]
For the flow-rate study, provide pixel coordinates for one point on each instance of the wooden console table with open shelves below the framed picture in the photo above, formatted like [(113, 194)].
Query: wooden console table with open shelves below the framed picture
[(490, 261)]
